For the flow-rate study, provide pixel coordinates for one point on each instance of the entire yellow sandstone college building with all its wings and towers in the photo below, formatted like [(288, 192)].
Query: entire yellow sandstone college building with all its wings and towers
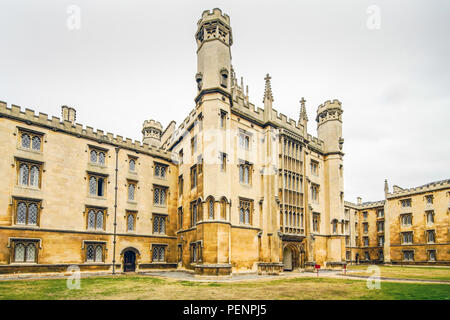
[(234, 188)]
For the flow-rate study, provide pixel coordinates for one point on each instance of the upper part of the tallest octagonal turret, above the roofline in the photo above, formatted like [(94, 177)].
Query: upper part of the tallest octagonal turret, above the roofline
[(214, 40)]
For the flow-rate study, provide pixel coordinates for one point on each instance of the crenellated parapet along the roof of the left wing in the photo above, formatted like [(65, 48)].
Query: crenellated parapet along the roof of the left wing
[(56, 124)]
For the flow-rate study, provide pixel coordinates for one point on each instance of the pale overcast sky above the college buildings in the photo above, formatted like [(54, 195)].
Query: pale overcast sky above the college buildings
[(136, 60)]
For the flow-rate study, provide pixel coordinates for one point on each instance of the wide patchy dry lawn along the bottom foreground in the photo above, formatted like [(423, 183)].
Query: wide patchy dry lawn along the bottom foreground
[(146, 287)]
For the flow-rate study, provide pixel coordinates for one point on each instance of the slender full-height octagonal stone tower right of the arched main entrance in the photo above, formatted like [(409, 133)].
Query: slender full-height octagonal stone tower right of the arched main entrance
[(329, 130)]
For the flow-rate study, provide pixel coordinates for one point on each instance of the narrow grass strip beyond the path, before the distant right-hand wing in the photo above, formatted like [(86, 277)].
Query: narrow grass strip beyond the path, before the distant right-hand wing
[(423, 273)]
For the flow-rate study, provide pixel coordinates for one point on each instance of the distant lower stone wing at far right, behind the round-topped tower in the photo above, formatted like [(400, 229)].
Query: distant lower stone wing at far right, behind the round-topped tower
[(409, 227)]
